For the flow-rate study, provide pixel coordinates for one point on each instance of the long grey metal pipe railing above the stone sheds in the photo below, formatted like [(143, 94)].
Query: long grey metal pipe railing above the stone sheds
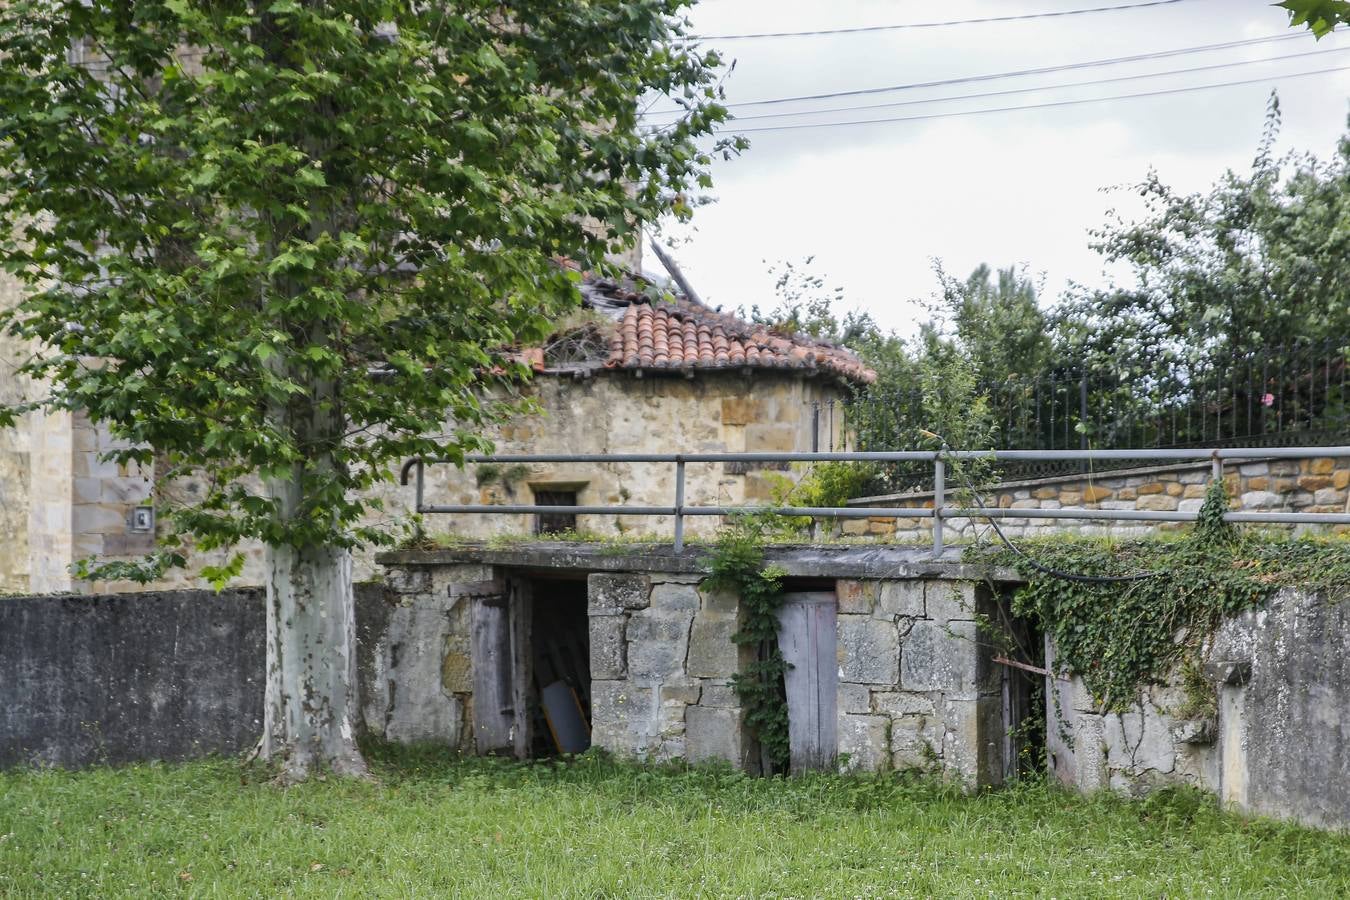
[(938, 513)]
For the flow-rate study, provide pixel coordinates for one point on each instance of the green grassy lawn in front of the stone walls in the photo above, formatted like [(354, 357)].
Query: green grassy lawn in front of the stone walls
[(439, 826)]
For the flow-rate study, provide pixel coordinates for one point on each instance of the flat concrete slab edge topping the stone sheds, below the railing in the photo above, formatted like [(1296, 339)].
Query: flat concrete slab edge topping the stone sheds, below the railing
[(851, 562)]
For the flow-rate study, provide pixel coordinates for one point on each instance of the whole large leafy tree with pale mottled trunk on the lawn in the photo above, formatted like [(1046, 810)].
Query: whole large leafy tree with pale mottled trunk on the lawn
[(283, 242)]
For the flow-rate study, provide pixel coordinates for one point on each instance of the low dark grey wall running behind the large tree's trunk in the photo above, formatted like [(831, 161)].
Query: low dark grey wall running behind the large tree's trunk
[(175, 675)]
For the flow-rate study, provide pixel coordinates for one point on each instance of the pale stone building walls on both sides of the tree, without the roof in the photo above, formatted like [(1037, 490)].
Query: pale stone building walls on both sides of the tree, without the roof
[(64, 504)]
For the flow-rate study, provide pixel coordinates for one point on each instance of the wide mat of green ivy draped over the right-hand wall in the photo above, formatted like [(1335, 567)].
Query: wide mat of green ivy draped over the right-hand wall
[(1123, 636)]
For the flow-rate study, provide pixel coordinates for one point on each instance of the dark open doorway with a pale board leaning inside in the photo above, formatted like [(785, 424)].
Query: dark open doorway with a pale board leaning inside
[(560, 644)]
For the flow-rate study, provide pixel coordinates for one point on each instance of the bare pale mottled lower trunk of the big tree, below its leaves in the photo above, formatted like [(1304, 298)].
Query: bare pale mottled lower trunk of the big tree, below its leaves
[(310, 720)]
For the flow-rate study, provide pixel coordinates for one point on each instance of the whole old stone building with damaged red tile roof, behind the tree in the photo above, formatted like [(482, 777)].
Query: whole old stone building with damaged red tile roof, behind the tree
[(632, 372)]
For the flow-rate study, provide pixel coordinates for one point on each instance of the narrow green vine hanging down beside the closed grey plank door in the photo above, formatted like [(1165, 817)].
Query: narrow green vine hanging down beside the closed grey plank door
[(738, 566)]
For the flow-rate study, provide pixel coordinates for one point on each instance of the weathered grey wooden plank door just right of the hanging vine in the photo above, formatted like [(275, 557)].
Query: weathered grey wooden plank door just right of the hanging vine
[(808, 639)]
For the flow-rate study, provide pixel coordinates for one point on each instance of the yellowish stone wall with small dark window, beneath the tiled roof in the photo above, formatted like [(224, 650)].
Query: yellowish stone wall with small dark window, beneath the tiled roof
[(619, 414)]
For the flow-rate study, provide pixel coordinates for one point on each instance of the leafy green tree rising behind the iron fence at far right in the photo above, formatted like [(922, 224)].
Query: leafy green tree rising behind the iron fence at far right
[(1260, 261)]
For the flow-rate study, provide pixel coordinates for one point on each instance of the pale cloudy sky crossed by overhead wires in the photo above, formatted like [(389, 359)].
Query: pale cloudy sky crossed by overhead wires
[(875, 206)]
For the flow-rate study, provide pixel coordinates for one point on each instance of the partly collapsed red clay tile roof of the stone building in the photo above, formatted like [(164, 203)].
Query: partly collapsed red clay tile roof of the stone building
[(653, 334)]
